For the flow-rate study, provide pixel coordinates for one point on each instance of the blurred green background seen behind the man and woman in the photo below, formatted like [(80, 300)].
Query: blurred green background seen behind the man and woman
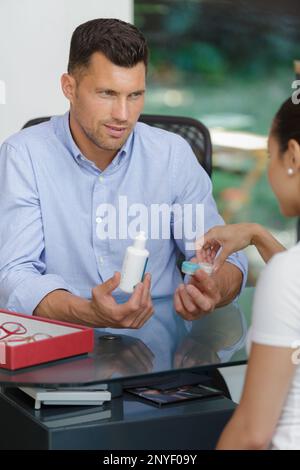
[(228, 63)]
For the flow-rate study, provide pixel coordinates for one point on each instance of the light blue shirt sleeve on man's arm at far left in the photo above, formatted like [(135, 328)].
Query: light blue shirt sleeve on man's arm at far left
[(23, 282)]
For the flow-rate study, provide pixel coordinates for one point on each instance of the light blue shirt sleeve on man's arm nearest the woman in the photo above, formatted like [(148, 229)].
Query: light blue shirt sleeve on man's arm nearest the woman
[(195, 210)]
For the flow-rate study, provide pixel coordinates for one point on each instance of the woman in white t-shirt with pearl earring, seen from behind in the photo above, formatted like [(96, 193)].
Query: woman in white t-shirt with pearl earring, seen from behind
[(268, 415)]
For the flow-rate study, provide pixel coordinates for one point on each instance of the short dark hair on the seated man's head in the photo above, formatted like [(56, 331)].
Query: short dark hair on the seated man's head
[(122, 43)]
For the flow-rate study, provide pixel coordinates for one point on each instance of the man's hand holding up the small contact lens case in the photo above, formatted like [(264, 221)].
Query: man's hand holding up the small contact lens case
[(197, 298)]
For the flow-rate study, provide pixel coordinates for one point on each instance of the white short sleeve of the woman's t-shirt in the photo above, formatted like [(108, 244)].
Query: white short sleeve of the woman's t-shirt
[(276, 314)]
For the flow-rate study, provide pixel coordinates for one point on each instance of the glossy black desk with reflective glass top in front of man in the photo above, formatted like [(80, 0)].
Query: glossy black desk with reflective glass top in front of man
[(167, 350)]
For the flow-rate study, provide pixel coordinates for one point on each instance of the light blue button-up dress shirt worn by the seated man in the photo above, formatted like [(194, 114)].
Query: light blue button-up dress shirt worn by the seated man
[(49, 199)]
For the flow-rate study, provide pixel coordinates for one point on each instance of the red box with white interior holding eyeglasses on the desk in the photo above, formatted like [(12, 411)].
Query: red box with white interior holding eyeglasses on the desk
[(66, 339)]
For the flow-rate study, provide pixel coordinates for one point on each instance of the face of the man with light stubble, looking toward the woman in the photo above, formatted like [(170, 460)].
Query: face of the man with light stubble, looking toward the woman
[(107, 100)]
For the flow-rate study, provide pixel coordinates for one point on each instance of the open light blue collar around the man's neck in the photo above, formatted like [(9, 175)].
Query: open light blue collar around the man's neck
[(66, 136)]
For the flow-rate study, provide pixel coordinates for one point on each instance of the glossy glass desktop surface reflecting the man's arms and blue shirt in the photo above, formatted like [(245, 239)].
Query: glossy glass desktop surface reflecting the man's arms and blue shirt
[(165, 343)]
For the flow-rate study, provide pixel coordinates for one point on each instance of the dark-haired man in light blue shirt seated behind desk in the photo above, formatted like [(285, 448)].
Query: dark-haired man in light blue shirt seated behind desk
[(56, 178)]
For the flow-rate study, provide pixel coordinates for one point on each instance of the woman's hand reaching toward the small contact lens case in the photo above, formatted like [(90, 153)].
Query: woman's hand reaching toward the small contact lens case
[(228, 239)]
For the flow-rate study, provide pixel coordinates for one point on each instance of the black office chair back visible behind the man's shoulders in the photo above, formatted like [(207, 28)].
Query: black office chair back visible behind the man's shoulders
[(192, 130)]
